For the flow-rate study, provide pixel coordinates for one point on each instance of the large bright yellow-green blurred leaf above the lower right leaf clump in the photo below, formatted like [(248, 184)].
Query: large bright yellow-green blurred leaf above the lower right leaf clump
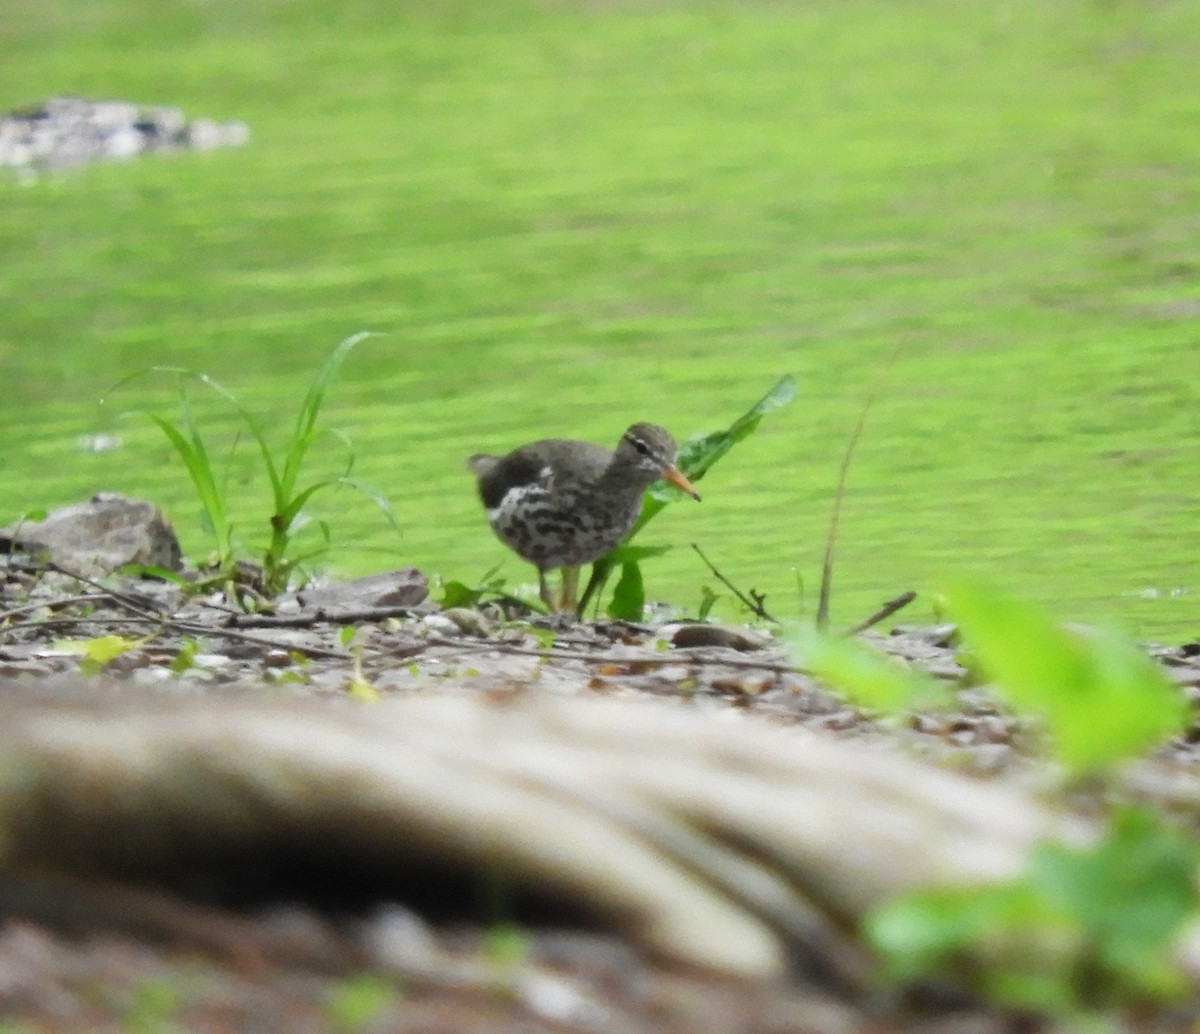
[(1102, 699)]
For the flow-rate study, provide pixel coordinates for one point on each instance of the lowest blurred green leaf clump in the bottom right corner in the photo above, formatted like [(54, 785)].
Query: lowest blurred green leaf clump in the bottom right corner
[(1083, 931)]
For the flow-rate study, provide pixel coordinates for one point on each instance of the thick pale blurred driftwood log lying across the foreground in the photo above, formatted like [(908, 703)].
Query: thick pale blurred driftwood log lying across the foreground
[(711, 839)]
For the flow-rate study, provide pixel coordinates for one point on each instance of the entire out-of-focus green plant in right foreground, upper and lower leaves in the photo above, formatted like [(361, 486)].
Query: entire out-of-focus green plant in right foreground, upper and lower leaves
[(1087, 929)]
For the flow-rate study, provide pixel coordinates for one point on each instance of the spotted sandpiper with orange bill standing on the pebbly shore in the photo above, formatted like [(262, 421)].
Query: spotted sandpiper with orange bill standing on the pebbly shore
[(561, 503)]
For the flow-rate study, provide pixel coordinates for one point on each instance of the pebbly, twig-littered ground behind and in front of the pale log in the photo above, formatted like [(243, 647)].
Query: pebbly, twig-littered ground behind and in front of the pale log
[(105, 958)]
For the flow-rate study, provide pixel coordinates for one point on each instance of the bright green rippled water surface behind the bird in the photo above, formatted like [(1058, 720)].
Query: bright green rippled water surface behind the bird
[(563, 218)]
